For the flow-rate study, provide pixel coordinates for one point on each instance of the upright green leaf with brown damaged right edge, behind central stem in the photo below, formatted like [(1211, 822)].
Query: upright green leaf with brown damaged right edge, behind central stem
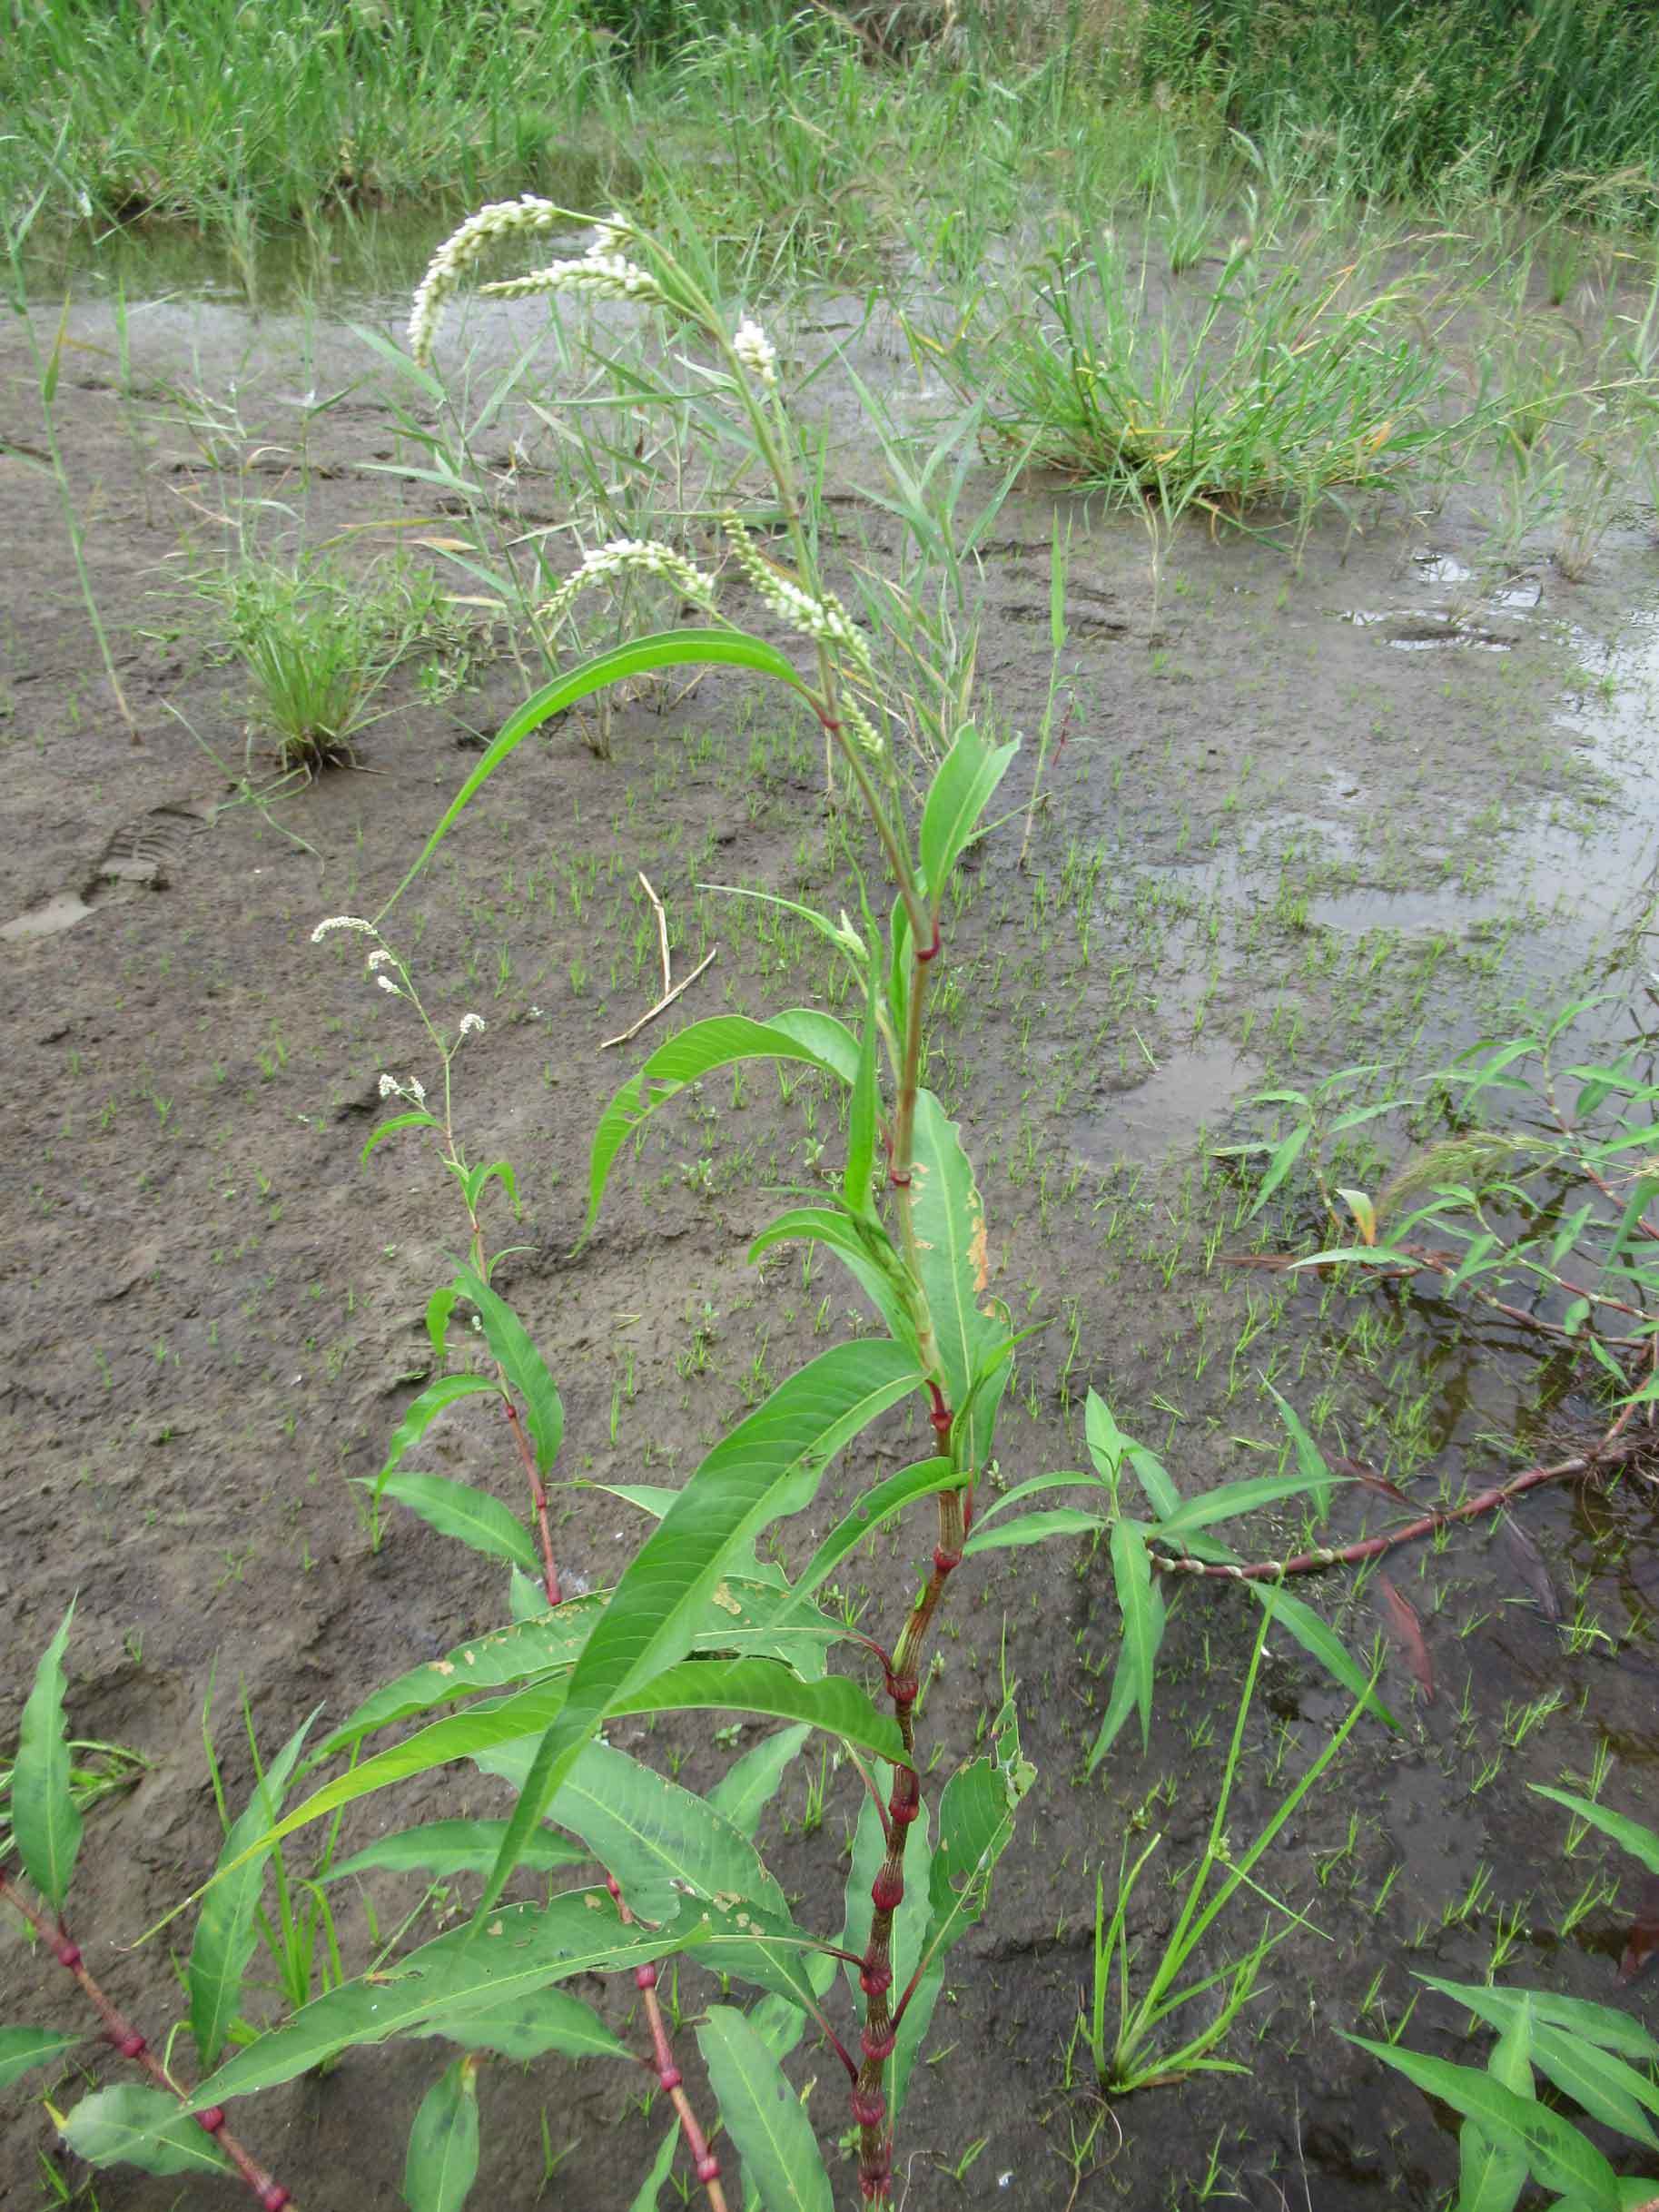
[(954, 1264)]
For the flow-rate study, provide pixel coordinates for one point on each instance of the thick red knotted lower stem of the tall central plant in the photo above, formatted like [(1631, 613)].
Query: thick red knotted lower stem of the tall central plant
[(904, 1806)]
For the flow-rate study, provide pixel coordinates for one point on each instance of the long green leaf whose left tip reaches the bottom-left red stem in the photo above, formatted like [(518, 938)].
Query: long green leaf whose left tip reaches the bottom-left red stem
[(514, 1954)]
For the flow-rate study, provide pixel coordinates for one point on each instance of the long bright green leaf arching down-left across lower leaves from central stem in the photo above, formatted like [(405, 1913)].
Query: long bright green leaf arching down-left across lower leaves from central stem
[(766, 1468)]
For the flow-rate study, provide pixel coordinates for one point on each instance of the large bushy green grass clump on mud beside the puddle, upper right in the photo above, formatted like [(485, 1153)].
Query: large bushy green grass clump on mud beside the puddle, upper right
[(1264, 393)]
